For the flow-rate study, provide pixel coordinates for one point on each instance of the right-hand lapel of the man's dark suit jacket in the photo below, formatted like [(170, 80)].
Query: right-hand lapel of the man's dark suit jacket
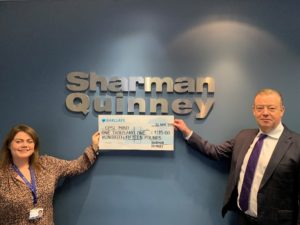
[(282, 146)]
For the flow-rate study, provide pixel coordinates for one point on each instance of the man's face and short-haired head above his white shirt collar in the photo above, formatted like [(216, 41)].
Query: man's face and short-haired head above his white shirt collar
[(268, 111)]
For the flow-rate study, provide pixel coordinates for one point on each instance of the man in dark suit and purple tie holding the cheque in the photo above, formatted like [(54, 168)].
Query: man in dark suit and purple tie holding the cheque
[(265, 189)]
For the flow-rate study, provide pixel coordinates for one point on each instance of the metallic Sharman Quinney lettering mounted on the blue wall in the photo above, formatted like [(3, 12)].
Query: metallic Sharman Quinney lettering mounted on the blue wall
[(121, 95)]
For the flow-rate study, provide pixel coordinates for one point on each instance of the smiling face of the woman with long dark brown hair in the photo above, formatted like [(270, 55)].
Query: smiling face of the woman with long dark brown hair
[(22, 146)]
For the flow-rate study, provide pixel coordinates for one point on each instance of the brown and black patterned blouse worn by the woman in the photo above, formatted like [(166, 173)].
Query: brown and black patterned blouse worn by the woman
[(16, 199)]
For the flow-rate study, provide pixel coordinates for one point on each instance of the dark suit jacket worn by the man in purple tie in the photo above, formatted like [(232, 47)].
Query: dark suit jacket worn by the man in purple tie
[(279, 194)]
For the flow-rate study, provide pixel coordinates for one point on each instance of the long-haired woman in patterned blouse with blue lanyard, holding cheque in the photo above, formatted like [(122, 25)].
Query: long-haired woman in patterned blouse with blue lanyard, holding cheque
[(28, 180)]
